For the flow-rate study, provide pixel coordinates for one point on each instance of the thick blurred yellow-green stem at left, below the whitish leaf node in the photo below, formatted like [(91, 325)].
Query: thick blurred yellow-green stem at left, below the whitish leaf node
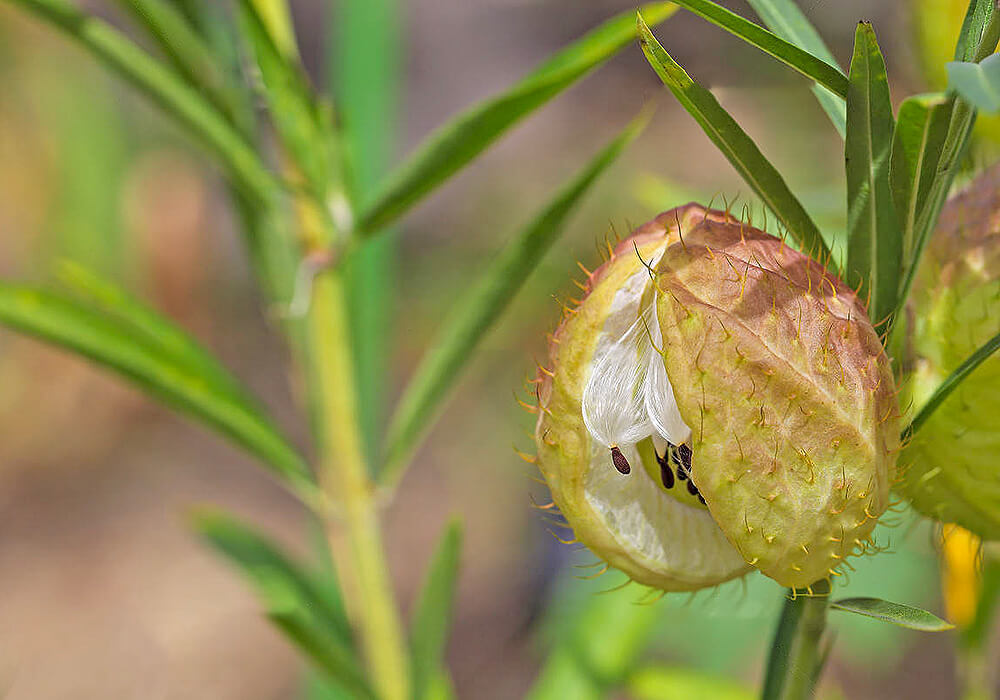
[(345, 480)]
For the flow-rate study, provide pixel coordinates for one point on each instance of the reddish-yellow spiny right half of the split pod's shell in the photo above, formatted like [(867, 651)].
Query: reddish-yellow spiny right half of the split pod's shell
[(789, 394)]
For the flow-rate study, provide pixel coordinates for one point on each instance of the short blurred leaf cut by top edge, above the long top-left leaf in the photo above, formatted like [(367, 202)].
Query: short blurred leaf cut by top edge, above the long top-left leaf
[(189, 53)]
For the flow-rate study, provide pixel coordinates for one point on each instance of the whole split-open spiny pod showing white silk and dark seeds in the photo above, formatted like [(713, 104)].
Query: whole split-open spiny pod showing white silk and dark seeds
[(747, 384)]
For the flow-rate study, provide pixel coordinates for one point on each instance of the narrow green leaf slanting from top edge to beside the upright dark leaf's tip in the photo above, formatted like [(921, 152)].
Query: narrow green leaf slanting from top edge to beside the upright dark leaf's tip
[(814, 68)]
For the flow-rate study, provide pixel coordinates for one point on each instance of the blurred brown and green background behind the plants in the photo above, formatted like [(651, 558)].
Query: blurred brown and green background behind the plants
[(104, 593)]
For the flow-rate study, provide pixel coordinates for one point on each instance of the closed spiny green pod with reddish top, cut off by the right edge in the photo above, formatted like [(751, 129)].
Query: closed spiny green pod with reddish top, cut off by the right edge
[(952, 464)]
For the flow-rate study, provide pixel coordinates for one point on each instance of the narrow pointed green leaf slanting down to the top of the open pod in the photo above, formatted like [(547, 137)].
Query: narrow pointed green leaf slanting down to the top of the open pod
[(735, 144)]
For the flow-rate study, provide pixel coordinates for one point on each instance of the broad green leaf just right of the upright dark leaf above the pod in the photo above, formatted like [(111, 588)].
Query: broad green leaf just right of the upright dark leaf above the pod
[(921, 129)]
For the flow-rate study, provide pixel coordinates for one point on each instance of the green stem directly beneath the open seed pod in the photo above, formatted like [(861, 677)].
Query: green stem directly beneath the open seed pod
[(797, 655)]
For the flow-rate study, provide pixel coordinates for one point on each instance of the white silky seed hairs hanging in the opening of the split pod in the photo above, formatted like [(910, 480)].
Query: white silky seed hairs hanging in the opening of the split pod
[(628, 395)]
